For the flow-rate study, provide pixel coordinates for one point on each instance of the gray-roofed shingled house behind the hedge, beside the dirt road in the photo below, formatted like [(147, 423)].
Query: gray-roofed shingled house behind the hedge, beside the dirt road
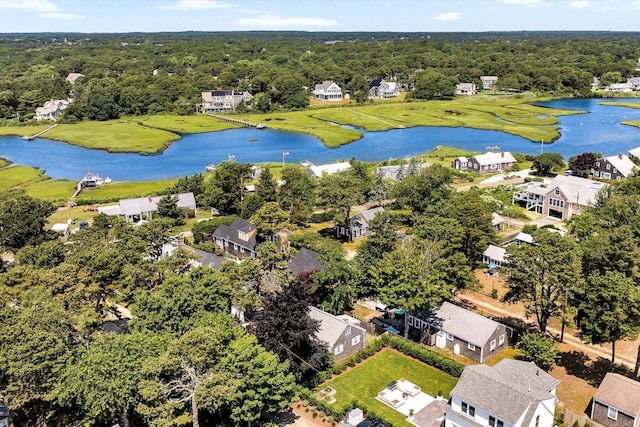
[(461, 331)]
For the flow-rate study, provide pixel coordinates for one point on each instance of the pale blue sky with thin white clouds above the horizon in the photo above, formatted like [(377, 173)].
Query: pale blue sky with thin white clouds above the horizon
[(314, 15)]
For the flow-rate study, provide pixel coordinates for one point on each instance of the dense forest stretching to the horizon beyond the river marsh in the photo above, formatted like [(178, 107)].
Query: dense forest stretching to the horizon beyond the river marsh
[(136, 74)]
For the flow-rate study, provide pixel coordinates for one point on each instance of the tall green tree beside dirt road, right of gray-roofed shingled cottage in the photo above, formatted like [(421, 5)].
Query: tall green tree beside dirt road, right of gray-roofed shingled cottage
[(543, 275)]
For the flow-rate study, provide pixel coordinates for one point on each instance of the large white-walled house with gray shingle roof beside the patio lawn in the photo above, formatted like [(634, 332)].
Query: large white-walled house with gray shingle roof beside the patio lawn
[(512, 393)]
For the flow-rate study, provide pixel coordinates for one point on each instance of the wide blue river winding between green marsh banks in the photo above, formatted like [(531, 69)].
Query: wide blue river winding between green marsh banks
[(599, 130)]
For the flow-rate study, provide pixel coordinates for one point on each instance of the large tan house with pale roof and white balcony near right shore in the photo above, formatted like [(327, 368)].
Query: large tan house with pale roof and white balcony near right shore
[(561, 197)]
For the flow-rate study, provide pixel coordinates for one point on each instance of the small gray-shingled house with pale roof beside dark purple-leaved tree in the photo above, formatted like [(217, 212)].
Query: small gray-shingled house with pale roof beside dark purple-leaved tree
[(342, 334)]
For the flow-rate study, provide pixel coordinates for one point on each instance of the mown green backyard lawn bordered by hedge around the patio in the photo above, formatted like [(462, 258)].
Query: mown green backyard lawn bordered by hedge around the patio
[(363, 382)]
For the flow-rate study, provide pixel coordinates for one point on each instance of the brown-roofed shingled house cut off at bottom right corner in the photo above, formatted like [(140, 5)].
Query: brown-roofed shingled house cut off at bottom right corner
[(617, 402)]
